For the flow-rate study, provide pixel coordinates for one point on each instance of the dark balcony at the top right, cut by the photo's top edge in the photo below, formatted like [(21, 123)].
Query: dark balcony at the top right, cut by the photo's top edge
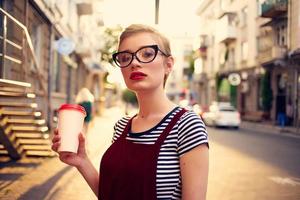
[(273, 8)]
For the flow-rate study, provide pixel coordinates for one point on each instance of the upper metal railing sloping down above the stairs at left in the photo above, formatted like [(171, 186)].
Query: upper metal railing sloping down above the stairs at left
[(26, 37)]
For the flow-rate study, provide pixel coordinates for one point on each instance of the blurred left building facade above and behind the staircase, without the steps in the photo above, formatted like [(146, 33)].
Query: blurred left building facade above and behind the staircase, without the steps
[(39, 35)]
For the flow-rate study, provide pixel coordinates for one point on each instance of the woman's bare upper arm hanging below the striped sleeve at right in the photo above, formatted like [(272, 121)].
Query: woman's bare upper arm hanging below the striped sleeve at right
[(194, 173)]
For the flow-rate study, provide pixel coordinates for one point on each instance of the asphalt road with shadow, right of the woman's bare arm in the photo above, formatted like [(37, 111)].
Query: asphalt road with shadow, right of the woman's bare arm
[(250, 165)]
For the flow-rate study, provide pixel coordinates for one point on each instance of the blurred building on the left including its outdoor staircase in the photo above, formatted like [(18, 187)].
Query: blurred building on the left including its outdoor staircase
[(49, 51)]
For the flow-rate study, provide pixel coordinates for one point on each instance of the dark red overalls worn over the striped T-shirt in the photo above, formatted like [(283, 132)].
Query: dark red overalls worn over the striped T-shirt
[(128, 170)]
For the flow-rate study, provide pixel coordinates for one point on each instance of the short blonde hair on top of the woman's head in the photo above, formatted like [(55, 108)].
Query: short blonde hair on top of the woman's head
[(164, 43)]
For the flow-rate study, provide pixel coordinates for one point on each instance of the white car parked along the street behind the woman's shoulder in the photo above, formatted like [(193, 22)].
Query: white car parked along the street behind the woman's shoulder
[(222, 114)]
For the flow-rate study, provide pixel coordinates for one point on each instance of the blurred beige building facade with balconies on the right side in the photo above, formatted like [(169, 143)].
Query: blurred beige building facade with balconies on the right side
[(252, 40)]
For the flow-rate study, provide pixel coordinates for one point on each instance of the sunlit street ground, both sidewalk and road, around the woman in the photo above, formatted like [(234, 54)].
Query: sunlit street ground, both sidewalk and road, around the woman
[(243, 165)]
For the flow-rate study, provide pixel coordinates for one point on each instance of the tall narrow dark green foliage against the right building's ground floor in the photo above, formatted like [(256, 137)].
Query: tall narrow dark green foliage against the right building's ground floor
[(266, 92)]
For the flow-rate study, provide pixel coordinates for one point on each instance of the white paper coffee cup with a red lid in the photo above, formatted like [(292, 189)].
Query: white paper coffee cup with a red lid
[(70, 124)]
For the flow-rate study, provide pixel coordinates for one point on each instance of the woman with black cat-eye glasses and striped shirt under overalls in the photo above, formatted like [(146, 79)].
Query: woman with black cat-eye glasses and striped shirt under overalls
[(161, 152)]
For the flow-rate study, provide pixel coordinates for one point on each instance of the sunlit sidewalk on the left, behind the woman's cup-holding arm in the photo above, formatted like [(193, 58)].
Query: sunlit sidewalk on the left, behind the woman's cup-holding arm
[(48, 178)]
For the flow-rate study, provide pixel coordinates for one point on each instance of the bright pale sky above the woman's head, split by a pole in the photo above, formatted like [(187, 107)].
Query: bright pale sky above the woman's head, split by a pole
[(177, 17)]
